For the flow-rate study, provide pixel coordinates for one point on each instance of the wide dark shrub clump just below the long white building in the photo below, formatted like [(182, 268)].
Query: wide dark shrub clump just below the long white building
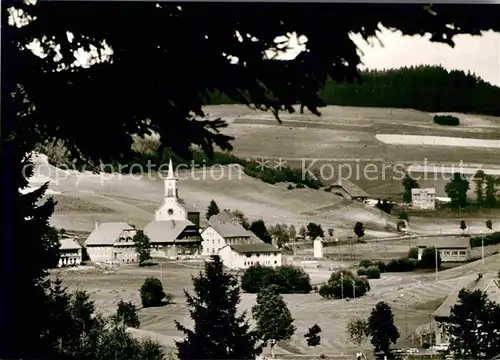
[(289, 279)]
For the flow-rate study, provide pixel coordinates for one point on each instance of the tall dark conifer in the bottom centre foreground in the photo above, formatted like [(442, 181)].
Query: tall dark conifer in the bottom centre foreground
[(218, 333)]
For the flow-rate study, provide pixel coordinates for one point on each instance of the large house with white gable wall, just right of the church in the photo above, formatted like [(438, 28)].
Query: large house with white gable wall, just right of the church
[(224, 229)]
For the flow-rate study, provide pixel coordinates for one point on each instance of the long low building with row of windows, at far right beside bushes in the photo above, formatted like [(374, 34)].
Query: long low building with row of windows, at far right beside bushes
[(451, 249)]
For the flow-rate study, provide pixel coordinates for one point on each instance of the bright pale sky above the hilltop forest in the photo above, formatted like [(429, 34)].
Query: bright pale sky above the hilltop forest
[(479, 54)]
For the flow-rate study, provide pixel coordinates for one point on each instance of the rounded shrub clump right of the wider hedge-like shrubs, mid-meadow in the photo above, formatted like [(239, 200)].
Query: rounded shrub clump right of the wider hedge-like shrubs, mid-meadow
[(338, 284)]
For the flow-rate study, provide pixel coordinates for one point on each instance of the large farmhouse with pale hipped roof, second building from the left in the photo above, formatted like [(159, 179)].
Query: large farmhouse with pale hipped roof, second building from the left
[(112, 241)]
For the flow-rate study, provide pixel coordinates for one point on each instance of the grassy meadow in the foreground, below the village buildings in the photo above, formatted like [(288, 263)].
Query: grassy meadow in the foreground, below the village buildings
[(422, 293)]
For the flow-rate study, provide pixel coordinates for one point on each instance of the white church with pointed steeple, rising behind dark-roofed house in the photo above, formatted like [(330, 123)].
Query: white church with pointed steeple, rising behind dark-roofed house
[(174, 208)]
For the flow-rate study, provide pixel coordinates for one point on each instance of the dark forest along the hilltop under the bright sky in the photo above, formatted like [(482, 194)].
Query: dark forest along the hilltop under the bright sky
[(426, 88)]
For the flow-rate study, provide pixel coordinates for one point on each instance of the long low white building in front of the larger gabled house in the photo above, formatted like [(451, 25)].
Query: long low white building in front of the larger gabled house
[(243, 256)]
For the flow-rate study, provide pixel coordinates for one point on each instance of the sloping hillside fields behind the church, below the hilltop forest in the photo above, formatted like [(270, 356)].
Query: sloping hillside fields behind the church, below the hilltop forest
[(342, 138)]
